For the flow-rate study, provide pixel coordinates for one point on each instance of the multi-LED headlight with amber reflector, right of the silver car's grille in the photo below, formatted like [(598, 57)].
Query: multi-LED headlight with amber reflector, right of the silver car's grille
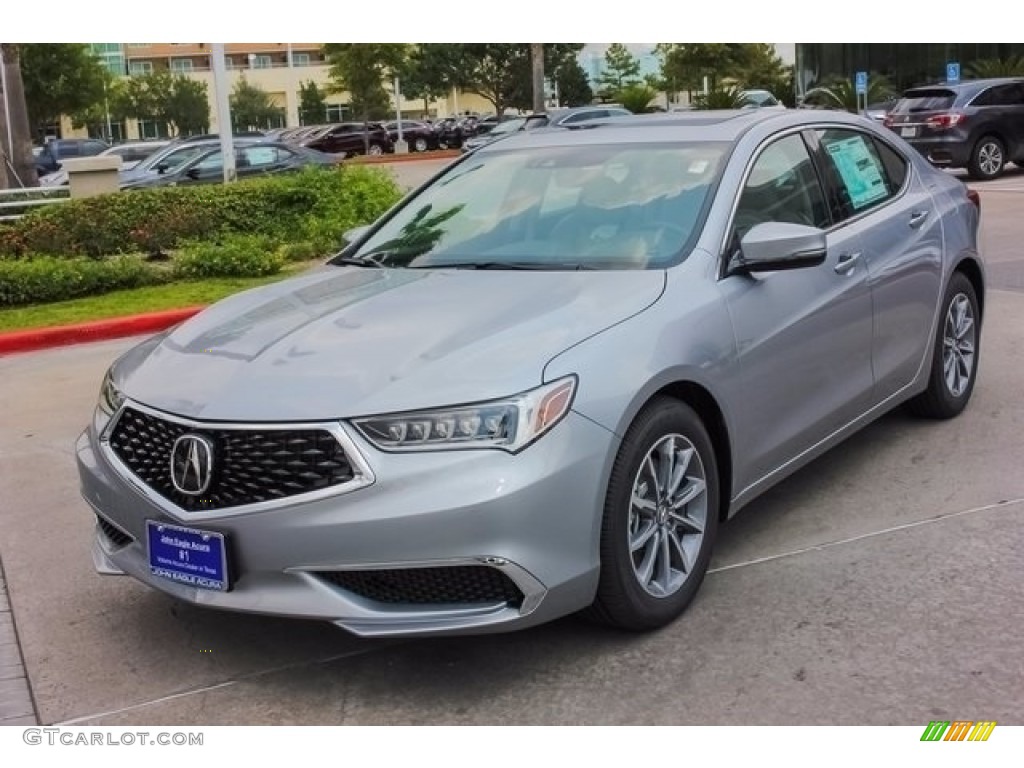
[(508, 424)]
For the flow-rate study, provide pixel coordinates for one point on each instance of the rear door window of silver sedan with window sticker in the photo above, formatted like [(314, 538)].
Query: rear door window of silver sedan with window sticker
[(859, 168)]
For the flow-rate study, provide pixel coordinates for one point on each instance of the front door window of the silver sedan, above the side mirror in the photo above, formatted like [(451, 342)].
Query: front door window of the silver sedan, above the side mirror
[(783, 187)]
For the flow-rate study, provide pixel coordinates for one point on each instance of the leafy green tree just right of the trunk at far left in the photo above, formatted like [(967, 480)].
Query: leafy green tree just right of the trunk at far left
[(60, 79)]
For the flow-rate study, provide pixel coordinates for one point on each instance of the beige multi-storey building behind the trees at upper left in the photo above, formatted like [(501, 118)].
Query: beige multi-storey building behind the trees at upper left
[(279, 69)]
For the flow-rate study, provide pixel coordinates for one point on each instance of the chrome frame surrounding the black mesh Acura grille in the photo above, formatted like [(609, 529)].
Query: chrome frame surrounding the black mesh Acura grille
[(363, 475)]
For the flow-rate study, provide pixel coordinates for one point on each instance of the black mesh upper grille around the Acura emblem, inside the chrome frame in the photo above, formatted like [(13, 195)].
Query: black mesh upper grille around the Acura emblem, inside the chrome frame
[(250, 465)]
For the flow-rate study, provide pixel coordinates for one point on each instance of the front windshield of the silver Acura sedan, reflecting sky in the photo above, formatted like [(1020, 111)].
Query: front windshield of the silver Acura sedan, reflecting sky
[(595, 207)]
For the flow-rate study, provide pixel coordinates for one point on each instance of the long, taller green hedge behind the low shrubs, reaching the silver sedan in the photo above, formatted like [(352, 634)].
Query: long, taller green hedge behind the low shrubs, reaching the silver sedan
[(315, 206)]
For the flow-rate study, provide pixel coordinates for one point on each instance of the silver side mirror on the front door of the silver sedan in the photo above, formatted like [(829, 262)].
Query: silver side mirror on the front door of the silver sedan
[(780, 245)]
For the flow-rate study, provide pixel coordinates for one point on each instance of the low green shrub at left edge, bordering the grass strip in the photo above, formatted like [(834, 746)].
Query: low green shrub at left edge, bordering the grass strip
[(48, 279)]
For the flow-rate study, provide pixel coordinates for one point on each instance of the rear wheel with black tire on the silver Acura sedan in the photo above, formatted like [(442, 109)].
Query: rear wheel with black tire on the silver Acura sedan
[(955, 358)]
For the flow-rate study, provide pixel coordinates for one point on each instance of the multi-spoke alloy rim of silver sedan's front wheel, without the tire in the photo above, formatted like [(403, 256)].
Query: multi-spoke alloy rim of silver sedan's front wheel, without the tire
[(668, 516)]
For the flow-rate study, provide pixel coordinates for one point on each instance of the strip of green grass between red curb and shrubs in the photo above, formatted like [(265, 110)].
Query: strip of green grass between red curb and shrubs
[(135, 302)]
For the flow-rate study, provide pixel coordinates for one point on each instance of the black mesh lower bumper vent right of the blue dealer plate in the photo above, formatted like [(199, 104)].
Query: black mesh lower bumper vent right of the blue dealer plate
[(458, 584)]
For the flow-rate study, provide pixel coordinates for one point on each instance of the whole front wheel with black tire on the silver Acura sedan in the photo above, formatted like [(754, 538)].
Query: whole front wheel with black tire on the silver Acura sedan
[(653, 560)]
